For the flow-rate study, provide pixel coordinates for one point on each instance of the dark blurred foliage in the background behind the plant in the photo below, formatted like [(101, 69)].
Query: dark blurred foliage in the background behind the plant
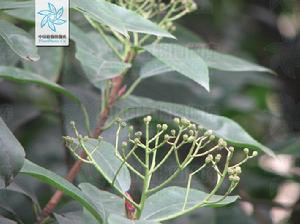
[(268, 107)]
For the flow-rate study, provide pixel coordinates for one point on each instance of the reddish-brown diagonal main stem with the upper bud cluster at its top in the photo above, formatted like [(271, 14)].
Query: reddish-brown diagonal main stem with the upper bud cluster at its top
[(164, 14)]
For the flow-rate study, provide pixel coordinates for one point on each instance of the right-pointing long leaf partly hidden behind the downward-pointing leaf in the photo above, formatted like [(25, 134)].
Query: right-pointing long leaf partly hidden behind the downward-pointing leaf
[(213, 59)]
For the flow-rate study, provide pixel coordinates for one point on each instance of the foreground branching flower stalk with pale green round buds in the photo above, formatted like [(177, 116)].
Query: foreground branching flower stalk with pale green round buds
[(215, 153)]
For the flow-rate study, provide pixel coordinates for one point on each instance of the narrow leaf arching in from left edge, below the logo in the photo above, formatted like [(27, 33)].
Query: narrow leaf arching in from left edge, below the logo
[(23, 76)]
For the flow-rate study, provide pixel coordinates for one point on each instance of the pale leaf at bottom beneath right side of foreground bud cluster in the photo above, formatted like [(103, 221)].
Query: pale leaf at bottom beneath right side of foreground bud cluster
[(168, 203)]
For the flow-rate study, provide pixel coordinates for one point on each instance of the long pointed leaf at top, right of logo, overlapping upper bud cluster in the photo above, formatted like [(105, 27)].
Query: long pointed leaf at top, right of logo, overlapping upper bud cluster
[(118, 18)]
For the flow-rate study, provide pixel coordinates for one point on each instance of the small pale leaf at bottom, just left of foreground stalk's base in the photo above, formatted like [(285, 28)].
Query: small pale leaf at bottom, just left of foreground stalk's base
[(104, 200)]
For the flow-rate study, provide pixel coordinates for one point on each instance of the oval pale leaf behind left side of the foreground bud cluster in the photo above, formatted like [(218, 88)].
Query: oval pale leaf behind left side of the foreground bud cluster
[(105, 161)]
